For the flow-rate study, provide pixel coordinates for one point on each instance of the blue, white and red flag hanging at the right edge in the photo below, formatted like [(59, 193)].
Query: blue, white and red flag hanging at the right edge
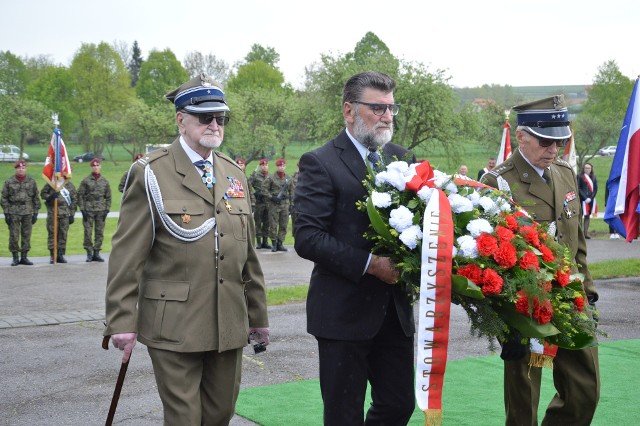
[(623, 207)]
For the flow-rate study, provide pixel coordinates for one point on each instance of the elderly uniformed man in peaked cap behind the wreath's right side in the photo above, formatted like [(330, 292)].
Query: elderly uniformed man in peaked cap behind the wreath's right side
[(546, 187)]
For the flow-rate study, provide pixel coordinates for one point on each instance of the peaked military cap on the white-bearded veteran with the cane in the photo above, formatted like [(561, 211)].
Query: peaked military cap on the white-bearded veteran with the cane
[(199, 95)]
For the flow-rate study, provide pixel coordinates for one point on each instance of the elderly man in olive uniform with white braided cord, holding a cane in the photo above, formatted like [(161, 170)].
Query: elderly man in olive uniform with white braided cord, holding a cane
[(184, 277)]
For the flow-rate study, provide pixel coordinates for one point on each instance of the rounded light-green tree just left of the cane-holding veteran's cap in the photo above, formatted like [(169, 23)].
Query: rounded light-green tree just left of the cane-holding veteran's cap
[(159, 74)]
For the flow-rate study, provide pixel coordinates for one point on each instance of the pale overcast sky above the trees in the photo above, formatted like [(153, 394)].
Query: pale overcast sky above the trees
[(515, 42)]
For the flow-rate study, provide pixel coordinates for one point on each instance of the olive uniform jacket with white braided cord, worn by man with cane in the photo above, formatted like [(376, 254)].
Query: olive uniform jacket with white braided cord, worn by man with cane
[(178, 295)]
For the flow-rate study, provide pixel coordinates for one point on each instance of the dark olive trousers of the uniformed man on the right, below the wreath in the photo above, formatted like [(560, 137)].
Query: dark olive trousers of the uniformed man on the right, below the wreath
[(577, 379)]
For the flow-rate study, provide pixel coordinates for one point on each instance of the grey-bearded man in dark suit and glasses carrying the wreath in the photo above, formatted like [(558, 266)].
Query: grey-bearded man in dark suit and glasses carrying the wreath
[(362, 320)]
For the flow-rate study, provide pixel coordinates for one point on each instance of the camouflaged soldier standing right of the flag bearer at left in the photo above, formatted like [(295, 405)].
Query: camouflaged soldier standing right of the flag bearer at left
[(94, 201)]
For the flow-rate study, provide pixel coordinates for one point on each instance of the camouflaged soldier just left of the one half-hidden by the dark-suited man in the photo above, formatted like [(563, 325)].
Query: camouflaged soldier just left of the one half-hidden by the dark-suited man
[(278, 188)]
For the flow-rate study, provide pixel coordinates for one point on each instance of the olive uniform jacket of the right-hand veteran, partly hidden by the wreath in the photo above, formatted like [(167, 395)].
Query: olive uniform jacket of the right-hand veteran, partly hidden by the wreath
[(561, 206)]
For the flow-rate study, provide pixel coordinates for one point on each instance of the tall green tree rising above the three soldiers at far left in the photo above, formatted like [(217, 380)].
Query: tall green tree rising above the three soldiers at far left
[(102, 88)]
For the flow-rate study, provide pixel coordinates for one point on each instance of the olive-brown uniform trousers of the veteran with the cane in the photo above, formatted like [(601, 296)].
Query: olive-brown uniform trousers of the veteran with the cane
[(185, 382)]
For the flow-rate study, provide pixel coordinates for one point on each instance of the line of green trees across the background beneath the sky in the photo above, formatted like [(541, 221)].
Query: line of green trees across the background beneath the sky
[(110, 95)]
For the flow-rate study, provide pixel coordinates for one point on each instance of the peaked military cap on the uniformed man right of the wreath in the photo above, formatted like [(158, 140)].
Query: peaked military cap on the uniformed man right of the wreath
[(545, 118)]
